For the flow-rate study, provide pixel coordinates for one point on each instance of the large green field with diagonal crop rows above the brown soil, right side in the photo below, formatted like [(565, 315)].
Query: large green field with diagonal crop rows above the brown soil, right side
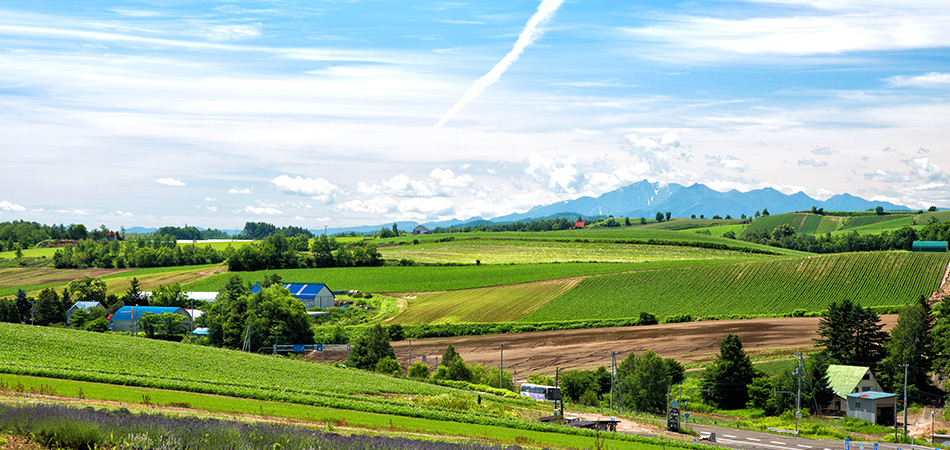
[(765, 287)]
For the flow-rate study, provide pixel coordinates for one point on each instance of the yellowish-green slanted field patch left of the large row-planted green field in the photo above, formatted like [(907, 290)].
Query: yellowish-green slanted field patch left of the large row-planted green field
[(491, 304)]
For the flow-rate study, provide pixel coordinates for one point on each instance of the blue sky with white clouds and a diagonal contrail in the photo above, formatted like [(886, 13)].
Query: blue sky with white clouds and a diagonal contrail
[(324, 113)]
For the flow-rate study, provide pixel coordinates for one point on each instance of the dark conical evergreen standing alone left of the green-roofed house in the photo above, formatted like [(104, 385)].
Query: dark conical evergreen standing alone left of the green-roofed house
[(729, 377)]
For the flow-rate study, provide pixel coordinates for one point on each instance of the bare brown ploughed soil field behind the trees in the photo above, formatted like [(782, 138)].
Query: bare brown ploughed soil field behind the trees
[(691, 342)]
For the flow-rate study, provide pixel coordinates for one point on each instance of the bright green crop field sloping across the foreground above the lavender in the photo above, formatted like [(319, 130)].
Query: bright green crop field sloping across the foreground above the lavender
[(249, 381)]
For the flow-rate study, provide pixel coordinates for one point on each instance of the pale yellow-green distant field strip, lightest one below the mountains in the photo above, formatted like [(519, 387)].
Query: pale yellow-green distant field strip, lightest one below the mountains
[(508, 251)]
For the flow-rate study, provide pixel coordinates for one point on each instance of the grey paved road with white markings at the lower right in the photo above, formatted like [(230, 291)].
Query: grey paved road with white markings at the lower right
[(745, 439)]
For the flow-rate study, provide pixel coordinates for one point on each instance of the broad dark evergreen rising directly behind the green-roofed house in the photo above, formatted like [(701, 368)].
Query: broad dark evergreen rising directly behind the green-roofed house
[(851, 334)]
